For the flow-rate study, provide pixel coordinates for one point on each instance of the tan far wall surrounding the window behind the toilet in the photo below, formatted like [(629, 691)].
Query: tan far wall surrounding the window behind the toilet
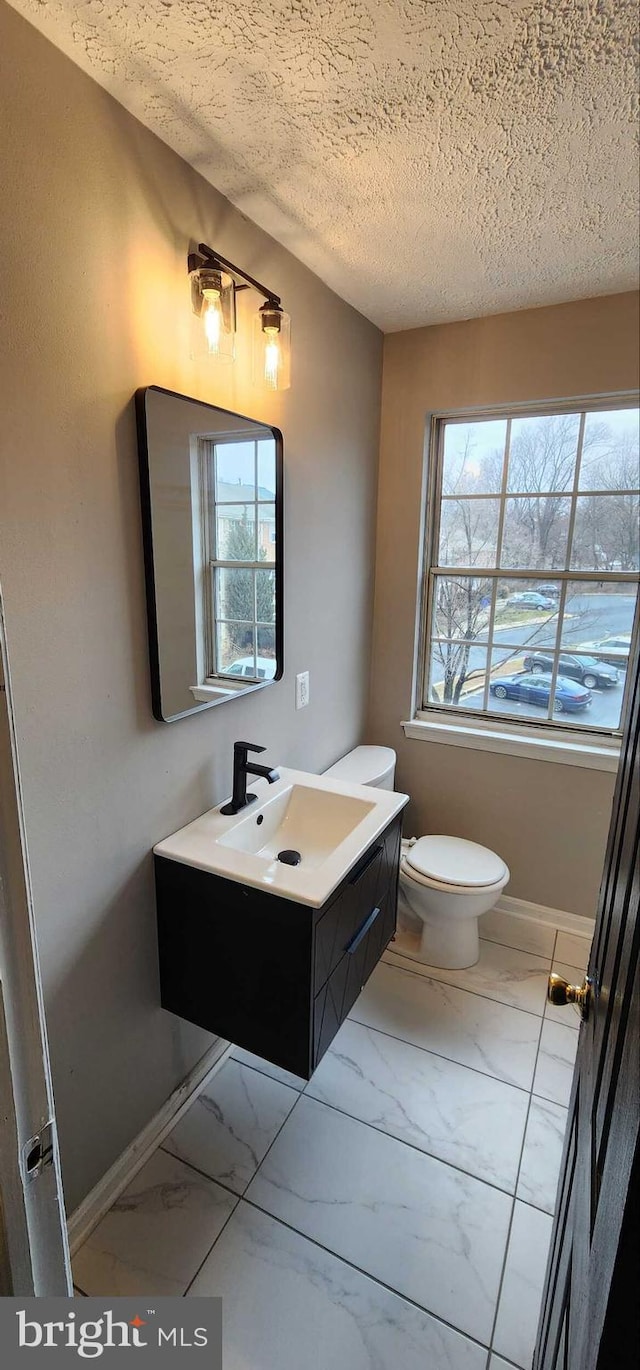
[(550, 823)]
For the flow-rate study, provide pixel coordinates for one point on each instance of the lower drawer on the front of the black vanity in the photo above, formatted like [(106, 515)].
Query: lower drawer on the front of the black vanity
[(341, 993)]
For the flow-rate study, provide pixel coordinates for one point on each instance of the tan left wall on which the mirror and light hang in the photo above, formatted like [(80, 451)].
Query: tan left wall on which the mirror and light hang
[(97, 223)]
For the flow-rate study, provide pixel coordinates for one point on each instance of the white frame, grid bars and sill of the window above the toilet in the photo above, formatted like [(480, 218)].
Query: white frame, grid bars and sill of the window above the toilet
[(546, 740)]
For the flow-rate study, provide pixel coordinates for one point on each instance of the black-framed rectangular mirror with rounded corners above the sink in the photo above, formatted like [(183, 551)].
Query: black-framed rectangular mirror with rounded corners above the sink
[(213, 523)]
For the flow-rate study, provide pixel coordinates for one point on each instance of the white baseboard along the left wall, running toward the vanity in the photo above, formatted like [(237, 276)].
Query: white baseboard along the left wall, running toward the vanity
[(99, 1201)]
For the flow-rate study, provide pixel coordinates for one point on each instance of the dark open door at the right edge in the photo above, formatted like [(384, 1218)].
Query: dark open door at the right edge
[(590, 1317)]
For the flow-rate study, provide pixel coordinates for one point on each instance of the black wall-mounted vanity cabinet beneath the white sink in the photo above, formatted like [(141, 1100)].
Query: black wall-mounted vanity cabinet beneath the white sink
[(269, 975)]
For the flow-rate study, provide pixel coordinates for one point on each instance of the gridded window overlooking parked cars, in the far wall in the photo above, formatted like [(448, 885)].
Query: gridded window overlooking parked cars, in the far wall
[(532, 568)]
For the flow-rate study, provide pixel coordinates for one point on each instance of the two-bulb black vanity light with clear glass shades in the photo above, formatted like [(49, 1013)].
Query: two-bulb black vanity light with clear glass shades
[(214, 283)]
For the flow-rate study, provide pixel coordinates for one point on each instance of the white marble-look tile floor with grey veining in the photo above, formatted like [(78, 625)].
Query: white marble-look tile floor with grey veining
[(397, 1209)]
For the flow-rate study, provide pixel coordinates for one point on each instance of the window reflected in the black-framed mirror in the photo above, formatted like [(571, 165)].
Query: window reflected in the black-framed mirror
[(239, 501)]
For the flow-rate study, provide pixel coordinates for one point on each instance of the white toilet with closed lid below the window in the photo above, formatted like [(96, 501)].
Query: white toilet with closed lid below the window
[(447, 882)]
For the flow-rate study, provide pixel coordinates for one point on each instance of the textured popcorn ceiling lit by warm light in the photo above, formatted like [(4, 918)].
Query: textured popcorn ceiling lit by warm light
[(430, 160)]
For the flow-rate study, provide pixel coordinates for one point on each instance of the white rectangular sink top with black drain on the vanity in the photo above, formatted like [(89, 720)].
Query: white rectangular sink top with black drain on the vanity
[(327, 823)]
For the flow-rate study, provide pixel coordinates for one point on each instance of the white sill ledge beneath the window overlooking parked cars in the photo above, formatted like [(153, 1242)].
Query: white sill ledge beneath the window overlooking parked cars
[(523, 742)]
